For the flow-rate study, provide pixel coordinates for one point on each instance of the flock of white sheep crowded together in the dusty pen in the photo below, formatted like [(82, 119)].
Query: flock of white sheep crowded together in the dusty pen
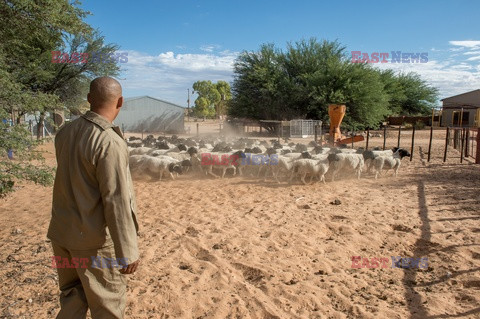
[(173, 156)]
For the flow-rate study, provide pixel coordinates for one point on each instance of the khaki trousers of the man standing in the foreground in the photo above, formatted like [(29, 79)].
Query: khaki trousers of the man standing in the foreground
[(103, 290)]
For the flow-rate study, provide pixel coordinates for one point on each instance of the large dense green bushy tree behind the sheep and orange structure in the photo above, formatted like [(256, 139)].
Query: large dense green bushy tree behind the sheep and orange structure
[(302, 81)]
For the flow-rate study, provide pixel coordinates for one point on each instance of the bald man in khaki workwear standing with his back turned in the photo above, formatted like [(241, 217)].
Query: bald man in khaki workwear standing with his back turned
[(93, 228)]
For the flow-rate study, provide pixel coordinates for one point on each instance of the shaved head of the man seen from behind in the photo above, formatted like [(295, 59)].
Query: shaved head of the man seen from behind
[(105, 96)]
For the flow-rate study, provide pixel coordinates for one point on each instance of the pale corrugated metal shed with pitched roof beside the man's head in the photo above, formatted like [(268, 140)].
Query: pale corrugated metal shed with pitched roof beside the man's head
[(148, 114)]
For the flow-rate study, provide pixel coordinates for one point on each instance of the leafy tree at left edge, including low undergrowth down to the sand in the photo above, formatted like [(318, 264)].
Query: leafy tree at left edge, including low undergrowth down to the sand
[(29, 81)]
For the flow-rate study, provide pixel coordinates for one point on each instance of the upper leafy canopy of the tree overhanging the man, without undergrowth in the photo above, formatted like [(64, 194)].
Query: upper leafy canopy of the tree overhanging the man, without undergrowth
[(31, 32)]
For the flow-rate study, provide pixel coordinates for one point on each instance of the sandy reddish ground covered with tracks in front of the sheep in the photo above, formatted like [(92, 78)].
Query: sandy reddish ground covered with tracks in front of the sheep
[(243, 248)]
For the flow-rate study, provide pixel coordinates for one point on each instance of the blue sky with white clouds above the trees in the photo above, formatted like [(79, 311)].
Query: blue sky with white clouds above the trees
[(172, 44)]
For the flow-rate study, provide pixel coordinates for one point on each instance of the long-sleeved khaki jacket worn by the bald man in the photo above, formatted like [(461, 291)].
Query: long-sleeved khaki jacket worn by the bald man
[(93, 199)]
